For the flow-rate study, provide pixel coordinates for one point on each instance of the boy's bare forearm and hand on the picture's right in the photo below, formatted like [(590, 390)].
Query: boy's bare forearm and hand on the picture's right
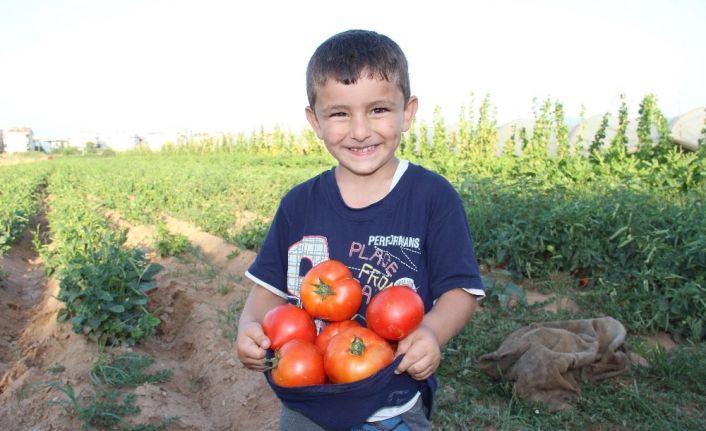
[(422, 348)]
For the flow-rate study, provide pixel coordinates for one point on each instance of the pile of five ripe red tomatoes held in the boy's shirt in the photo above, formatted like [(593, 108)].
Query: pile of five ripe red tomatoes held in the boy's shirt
[(344, 351)]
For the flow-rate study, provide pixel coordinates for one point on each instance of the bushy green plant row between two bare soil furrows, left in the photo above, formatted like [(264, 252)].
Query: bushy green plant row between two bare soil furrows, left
[(102, 284)]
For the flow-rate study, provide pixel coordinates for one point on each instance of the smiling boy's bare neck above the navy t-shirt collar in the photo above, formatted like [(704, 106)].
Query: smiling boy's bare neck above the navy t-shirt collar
[(360, 191)]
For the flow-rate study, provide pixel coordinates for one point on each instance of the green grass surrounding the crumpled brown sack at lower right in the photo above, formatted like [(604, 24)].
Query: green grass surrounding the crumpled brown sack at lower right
[(667, 395)]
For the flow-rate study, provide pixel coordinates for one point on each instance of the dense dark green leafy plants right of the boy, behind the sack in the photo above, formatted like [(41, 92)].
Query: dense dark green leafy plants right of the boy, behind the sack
[(634, 229)]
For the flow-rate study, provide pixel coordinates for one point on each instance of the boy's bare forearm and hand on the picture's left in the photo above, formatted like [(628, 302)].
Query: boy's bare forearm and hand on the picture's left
[(252, 343)]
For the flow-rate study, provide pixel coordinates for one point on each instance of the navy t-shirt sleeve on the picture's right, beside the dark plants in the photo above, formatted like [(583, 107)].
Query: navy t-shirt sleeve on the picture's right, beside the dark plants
[(452, 261)]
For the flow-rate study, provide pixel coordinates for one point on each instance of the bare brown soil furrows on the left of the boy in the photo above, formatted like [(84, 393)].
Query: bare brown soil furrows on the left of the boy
[(209, 389)]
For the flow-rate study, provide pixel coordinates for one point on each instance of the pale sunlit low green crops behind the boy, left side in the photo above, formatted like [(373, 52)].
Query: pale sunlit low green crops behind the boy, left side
[(233, 196)]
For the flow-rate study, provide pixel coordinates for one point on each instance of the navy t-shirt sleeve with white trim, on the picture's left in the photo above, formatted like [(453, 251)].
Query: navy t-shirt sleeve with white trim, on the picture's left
[(269, 269)]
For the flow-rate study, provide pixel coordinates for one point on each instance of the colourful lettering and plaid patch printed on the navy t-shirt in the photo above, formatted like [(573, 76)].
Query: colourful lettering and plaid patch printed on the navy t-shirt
[(378, 263)]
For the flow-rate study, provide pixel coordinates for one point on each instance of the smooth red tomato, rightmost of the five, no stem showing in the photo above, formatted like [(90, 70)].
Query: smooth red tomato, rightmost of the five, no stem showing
[(395, 312)]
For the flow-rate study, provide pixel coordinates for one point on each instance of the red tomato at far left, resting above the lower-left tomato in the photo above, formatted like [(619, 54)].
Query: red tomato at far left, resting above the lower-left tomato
[(287, 322)]
